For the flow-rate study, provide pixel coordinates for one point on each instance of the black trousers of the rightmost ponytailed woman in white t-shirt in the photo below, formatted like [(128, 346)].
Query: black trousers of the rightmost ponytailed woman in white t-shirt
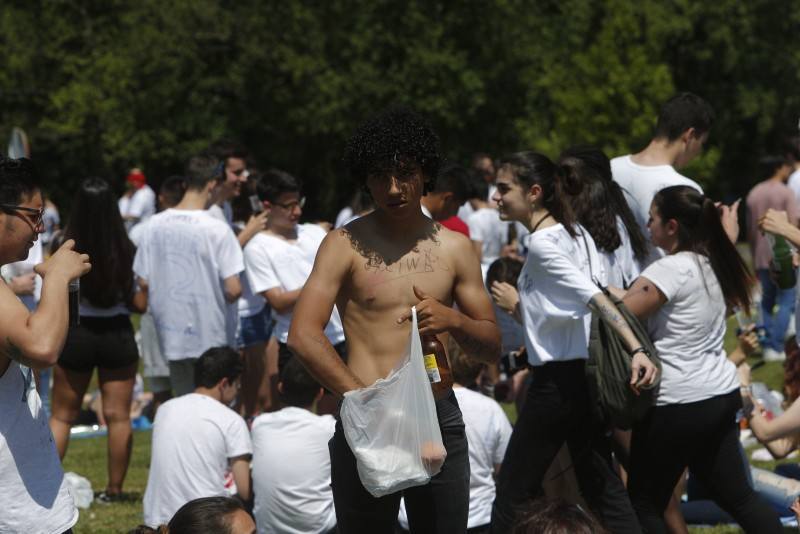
[(704, 437)]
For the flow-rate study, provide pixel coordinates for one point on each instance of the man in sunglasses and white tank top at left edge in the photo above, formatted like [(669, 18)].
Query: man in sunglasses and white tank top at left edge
[(32, 485)]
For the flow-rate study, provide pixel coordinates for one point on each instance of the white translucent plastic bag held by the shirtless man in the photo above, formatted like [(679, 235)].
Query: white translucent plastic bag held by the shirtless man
[(392, 427)]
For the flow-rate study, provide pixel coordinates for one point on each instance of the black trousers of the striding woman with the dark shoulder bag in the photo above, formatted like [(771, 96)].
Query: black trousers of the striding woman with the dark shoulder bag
[(558, 410)]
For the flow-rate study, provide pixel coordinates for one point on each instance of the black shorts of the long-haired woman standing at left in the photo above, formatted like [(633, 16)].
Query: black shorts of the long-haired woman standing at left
[(104, 342)]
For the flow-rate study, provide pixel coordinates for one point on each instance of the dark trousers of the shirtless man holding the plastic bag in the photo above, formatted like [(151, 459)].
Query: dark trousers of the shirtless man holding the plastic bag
[(441, 506)]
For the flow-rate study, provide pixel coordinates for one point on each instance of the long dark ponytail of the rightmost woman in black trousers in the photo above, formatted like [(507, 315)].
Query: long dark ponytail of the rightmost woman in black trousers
[(700, 230)]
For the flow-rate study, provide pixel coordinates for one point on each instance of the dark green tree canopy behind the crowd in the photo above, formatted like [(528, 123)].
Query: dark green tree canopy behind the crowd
[(102, 86)]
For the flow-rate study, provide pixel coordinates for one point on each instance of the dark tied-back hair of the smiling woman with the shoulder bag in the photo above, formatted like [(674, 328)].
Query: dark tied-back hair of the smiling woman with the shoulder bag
[(530, 168)]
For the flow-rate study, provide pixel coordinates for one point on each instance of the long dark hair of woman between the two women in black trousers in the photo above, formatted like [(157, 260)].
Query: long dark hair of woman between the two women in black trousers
[(601, 200)]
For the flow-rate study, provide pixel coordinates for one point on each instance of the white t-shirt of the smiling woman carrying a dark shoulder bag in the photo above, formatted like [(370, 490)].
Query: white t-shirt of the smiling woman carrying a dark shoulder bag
[(555, 287)]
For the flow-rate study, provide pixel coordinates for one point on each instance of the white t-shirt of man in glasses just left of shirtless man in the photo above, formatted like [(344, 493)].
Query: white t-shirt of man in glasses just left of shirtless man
[(272, 261)]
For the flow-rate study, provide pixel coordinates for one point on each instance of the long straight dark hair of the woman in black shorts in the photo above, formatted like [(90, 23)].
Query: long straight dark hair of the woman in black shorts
[(96, 226)]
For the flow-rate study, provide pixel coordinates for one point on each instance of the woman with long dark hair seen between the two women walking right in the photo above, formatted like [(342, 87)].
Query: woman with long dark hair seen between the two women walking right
[(601, 208)]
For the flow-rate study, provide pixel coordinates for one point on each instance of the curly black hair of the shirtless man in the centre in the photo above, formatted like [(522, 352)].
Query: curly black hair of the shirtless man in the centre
[(398, 140)]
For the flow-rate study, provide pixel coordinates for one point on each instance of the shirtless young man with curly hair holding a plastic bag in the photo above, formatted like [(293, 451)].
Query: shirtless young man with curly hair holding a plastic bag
[(374, 269)]
